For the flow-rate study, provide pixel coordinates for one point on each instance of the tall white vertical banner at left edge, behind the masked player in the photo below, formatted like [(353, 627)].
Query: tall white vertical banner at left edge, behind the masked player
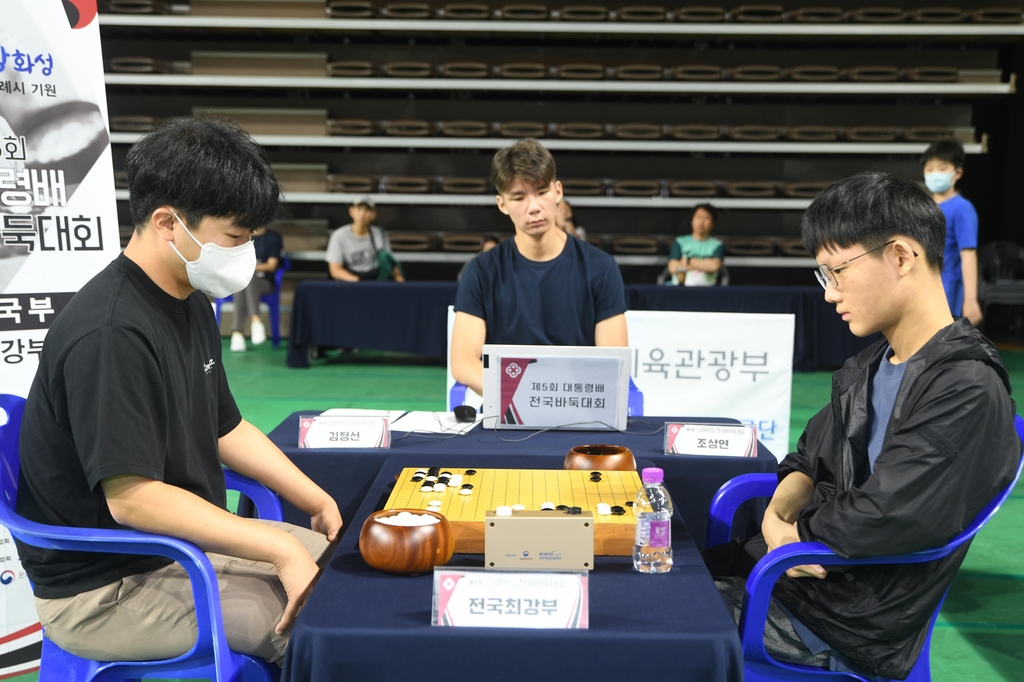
[(59, 224)]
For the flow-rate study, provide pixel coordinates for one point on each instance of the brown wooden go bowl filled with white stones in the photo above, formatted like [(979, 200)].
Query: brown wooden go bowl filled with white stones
[(406, 549)]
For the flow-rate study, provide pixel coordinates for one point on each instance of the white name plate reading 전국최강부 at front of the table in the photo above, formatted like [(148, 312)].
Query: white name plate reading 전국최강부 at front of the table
[(479, 599)]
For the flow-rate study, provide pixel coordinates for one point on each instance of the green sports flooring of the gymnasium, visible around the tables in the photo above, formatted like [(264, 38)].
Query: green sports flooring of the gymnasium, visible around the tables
[(979, 636)]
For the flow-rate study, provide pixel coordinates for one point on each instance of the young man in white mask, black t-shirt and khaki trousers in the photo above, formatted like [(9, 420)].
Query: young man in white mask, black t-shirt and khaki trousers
[(131, 418)]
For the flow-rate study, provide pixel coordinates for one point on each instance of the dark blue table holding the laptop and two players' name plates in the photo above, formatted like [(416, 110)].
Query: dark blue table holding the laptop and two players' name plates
[(693, 481)]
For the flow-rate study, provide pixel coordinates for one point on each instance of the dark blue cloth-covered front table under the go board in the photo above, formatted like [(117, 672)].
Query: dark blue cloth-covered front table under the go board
[(364, 625)]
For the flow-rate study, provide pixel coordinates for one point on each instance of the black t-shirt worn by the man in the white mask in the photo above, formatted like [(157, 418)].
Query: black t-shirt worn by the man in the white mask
[(131, 381)]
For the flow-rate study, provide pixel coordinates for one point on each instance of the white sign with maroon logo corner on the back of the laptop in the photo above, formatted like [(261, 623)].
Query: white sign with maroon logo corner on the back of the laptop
[(542, 393)]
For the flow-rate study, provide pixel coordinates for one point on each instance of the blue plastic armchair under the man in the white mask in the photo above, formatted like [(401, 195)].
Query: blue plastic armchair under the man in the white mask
[(210, 658)]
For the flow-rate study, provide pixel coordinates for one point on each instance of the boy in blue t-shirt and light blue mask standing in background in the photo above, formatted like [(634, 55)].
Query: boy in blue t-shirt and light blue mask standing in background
[(944, 163)]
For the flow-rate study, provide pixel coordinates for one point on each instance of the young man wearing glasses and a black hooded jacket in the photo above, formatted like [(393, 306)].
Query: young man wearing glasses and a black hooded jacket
[(918, 439)]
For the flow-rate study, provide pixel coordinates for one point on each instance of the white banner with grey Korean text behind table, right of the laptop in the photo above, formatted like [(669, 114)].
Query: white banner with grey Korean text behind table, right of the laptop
[(716, 365)]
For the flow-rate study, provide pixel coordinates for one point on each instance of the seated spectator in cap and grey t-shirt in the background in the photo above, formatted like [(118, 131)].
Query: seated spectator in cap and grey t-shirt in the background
[(361, 250)]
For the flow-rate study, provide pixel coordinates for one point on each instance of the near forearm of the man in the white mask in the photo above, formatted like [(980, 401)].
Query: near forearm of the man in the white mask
[(153, 506)]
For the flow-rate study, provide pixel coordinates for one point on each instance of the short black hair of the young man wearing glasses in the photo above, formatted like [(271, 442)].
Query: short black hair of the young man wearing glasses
[(870, 209)]
